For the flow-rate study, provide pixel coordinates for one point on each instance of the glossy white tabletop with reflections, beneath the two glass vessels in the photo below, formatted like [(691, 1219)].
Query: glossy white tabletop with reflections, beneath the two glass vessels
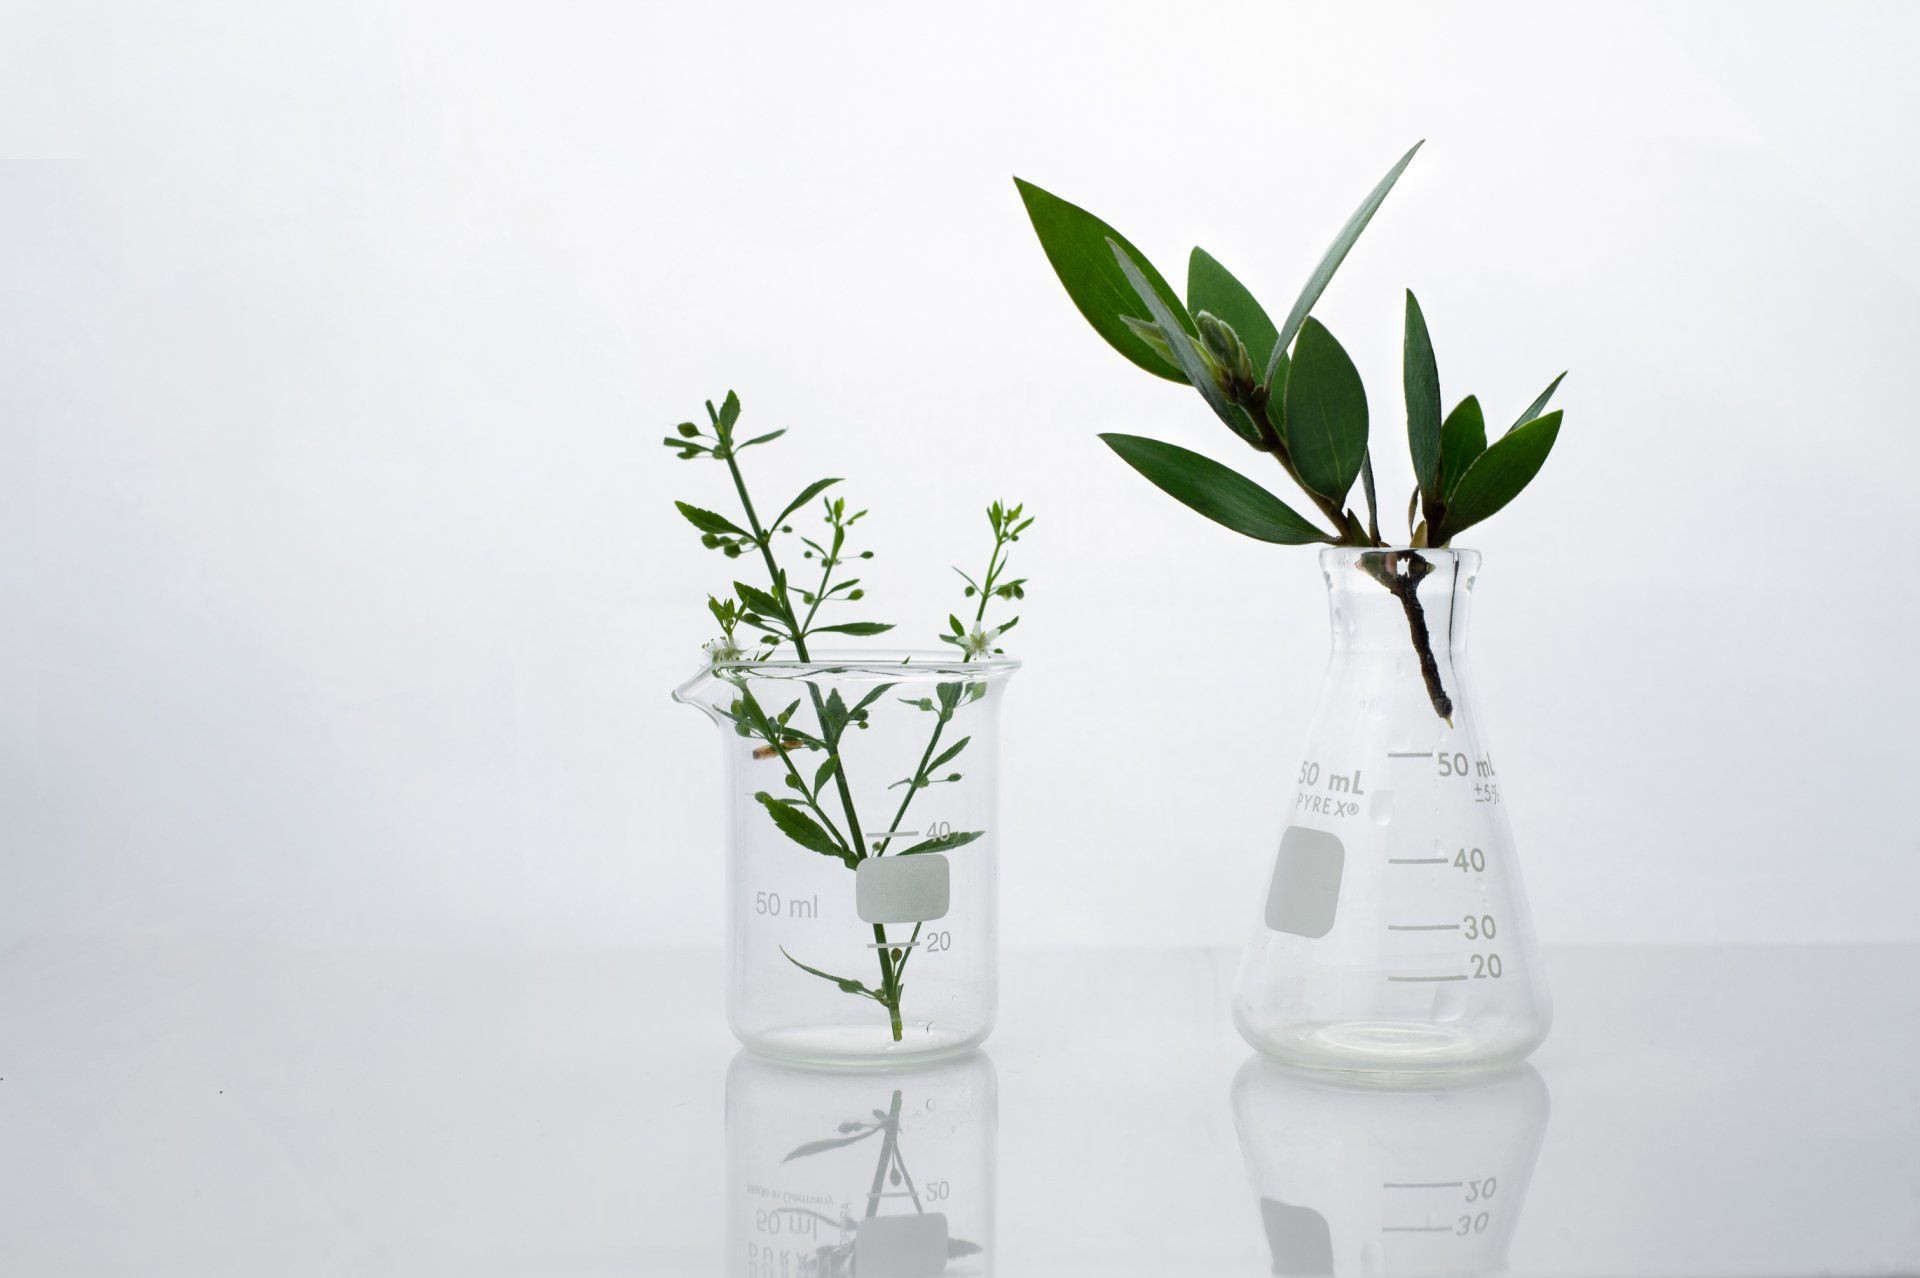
[(172, 1110)]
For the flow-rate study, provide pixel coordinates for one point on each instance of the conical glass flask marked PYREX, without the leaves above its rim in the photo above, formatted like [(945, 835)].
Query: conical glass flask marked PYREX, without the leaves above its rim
[(1395, 932)]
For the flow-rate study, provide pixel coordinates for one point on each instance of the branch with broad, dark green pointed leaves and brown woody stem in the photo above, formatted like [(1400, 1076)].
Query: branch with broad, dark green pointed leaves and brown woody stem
[(1293, 392)]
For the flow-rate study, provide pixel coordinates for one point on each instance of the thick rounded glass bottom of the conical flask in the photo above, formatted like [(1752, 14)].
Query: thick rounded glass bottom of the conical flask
[(1393, 1047)]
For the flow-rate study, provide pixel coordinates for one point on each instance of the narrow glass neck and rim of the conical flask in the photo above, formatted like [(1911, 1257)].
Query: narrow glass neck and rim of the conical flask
[(1383, 600)]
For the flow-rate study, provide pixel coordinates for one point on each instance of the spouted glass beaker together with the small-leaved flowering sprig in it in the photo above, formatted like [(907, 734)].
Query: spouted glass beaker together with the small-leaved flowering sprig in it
[(878, 765)]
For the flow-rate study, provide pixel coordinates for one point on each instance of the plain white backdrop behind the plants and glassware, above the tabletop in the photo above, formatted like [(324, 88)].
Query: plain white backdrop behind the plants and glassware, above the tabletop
[(341, 588)]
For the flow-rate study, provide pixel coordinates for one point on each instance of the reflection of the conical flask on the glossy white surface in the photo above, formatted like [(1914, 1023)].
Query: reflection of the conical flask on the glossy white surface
[(1368, 1177)]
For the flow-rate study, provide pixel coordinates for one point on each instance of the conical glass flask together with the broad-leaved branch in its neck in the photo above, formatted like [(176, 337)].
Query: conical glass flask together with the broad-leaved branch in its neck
[(1395, 932)]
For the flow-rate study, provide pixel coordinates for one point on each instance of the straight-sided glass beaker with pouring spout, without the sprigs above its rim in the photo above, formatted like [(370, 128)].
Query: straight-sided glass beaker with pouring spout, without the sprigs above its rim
[(863, 840)]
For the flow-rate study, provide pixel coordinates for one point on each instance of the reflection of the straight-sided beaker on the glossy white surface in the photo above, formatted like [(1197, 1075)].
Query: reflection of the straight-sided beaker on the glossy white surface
[(873, 1173)]
